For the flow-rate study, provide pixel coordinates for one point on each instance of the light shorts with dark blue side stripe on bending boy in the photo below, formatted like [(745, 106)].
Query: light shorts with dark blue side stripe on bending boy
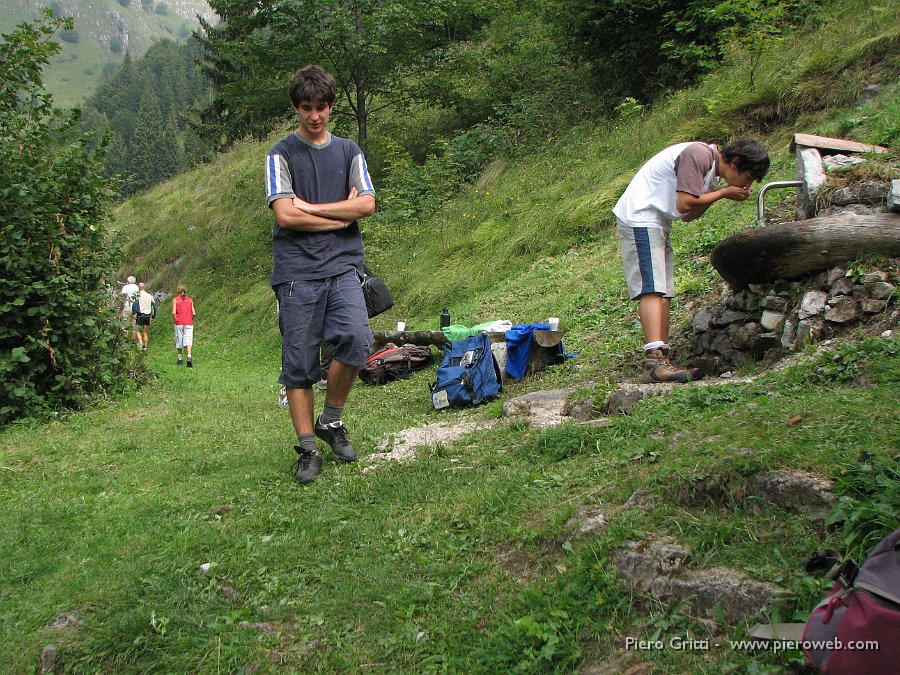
[(647, 256)]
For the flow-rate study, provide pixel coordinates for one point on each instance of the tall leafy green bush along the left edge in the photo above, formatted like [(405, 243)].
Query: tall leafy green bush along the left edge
[(59, 338)]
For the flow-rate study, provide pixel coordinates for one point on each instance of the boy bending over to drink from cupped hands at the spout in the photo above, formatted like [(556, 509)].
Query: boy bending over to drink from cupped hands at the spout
[(679, 183)]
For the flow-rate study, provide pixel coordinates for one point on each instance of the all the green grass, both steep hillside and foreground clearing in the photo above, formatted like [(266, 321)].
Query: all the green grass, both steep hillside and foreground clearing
[(460, 560)]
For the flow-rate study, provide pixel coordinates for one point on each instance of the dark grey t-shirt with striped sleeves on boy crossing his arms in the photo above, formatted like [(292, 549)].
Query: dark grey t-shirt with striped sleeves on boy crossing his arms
[(318, 174)]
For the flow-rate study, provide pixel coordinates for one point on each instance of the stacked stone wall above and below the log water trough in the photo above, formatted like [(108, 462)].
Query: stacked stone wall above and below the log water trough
[(765, 321)]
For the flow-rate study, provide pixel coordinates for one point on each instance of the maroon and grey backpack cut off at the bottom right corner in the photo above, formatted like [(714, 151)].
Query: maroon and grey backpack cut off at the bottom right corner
[(856, 629)]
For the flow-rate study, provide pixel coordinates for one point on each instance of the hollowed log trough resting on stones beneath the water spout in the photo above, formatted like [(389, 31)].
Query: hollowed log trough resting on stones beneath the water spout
[(800, 248)]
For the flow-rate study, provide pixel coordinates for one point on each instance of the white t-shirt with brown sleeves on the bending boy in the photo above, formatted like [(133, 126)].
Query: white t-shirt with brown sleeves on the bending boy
[(649, 200)]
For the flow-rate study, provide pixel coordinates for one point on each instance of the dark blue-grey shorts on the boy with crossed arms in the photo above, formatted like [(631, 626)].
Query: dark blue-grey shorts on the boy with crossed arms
[(331, 309)]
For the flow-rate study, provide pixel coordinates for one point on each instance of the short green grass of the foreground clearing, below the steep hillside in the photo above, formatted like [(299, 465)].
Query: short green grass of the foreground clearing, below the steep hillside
[(109, 515)]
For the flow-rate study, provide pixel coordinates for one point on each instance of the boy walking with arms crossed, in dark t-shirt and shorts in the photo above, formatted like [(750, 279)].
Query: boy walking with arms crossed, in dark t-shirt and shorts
[(318, 186)]
